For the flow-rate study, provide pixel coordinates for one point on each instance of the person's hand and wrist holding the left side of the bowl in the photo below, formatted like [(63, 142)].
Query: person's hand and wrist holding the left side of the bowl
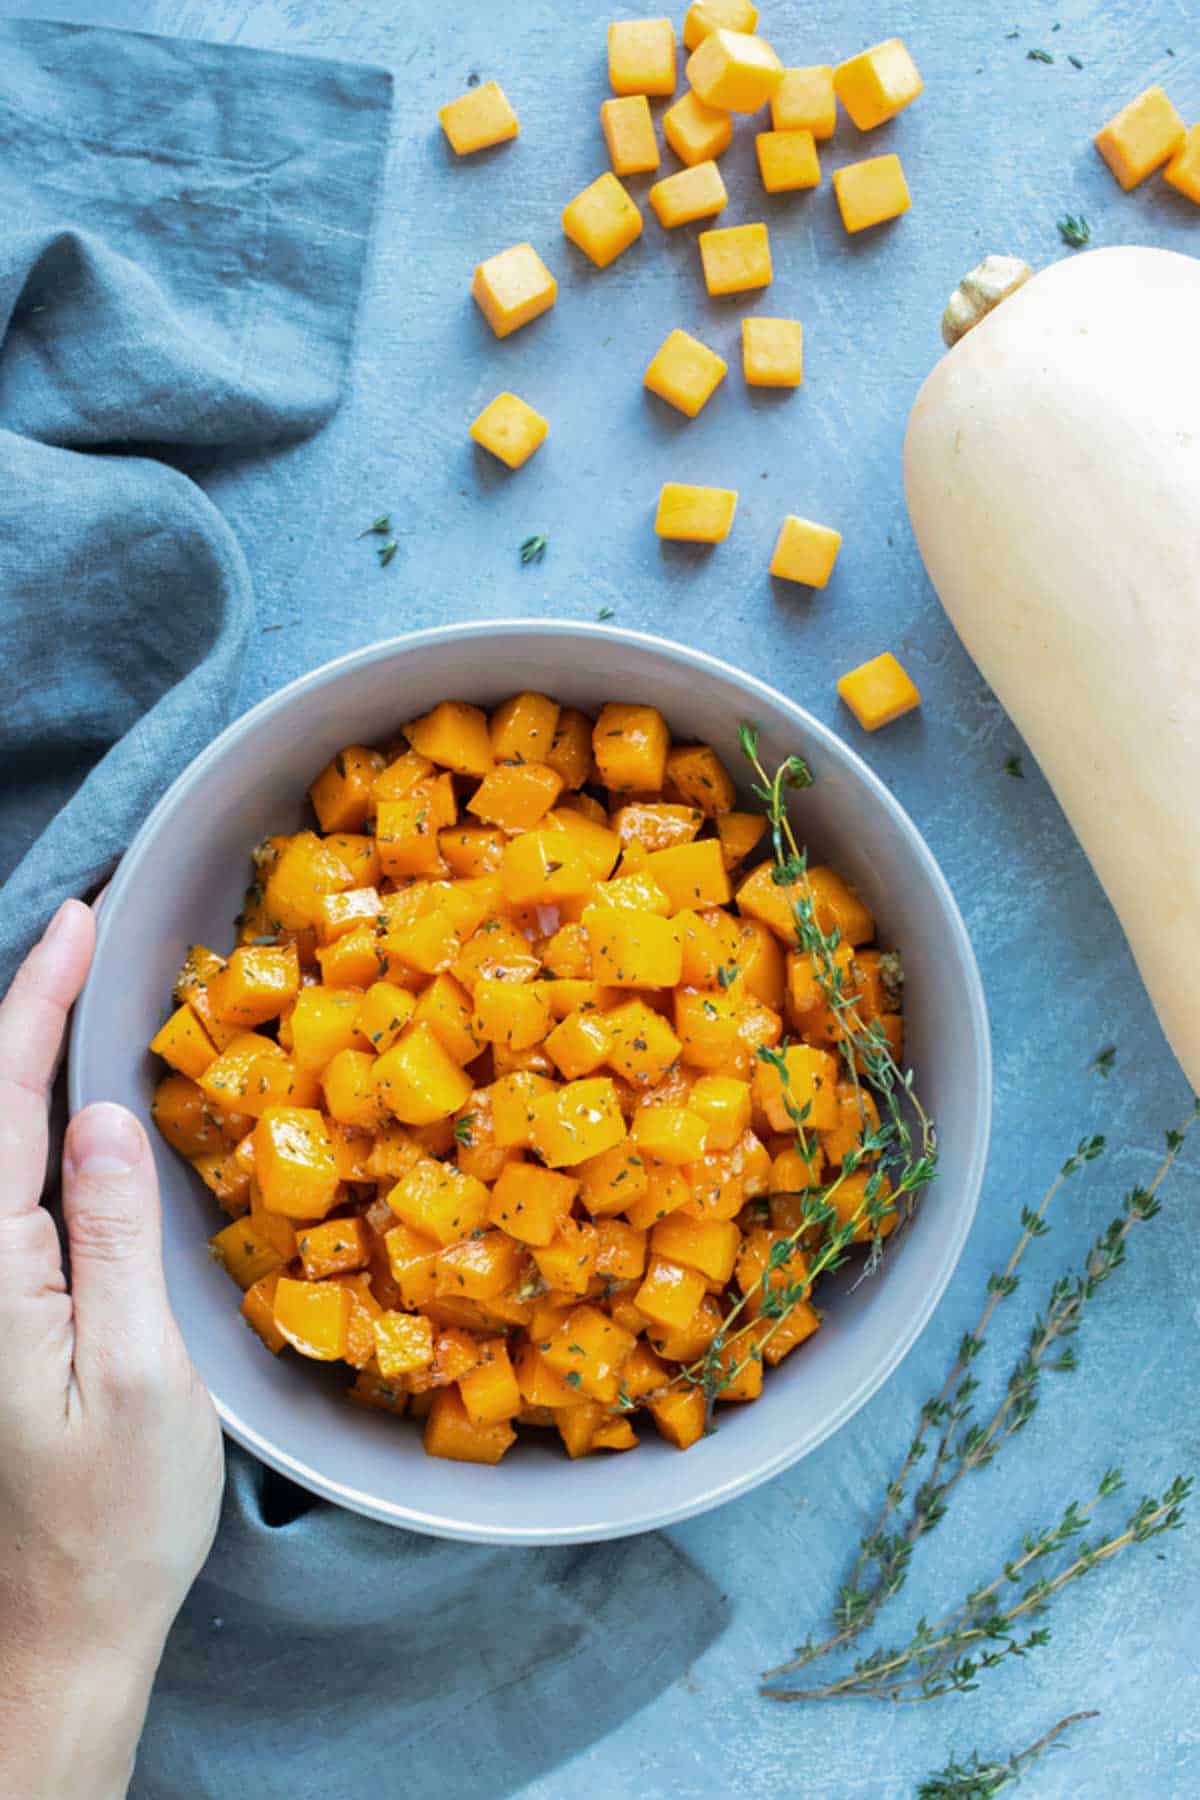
[(111, 1452)]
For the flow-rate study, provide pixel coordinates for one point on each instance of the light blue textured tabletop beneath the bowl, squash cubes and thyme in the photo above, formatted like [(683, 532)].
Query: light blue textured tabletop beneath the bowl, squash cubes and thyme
[(996, 150)]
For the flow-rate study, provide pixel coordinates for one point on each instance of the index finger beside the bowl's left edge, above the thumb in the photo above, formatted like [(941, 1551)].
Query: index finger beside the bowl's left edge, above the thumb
[(33, 1020)]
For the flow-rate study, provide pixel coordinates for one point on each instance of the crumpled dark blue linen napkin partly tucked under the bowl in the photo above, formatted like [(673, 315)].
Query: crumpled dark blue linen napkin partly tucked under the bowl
[(184, 249)]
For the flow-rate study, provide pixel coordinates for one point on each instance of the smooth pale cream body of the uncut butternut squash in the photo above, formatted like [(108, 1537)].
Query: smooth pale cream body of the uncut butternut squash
[(1053, 480)]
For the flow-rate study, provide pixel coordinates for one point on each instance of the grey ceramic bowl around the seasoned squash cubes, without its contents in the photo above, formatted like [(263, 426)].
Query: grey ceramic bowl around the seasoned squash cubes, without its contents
[(183, 883)]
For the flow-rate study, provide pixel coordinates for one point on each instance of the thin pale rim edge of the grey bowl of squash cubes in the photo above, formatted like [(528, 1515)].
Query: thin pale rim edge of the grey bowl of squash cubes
[(951, 1245)]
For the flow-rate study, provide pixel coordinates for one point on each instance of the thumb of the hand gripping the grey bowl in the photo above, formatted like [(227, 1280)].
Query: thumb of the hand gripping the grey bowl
[(114, 1234)]
